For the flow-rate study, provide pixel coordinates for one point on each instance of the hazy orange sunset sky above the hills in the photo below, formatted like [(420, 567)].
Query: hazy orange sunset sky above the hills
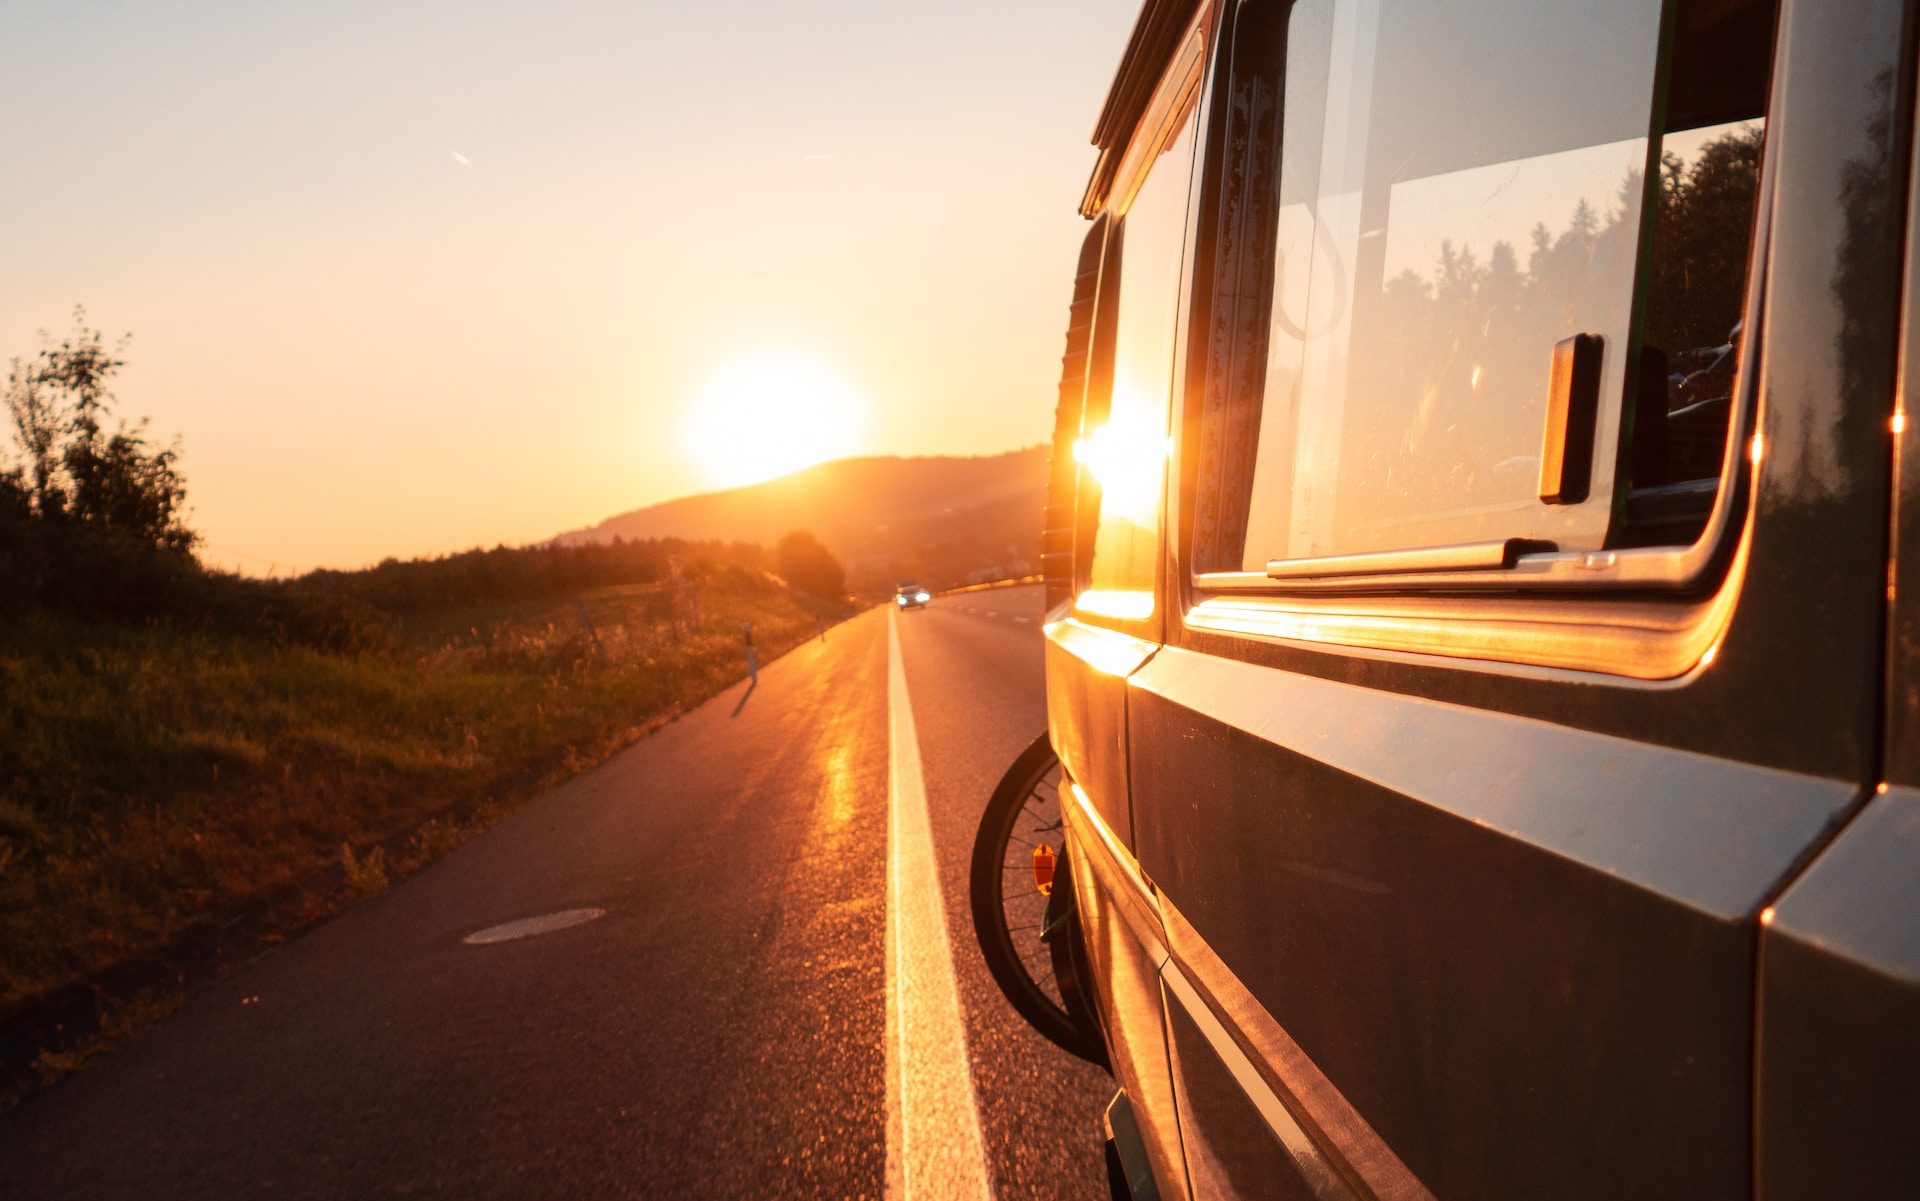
[(418, 277)]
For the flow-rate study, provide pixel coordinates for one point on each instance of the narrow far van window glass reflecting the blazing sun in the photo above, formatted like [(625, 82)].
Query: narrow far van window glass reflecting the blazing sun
[(1128, 452)]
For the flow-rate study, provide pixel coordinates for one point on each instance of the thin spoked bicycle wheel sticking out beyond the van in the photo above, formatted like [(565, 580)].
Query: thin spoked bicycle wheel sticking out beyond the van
[(1019, 885)]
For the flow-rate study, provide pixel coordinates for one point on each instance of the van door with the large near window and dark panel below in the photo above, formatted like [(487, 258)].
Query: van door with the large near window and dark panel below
[(1464, 795)]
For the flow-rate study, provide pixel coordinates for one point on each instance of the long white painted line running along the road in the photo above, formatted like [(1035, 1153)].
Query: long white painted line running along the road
[(934, 1144)]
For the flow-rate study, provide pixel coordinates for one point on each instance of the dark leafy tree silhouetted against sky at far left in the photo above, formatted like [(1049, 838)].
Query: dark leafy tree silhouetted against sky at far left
[(76, 471)]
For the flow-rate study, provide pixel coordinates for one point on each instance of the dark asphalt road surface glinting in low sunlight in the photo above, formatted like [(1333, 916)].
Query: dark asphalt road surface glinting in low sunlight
[(721, 1031)]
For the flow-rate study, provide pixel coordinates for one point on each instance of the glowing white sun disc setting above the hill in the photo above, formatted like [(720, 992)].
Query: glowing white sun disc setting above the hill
[(767, 415)]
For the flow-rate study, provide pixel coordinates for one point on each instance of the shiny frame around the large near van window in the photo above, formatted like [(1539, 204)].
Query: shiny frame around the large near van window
[(1646, 613)]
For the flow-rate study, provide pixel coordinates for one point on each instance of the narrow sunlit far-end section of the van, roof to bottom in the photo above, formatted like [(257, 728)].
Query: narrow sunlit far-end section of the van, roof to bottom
[(1116, 621)]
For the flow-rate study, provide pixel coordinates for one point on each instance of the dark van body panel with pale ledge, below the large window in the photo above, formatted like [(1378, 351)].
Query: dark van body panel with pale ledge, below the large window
[(1458, 914)]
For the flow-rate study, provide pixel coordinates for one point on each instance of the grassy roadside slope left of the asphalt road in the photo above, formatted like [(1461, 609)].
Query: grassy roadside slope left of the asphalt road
[(156, 780)]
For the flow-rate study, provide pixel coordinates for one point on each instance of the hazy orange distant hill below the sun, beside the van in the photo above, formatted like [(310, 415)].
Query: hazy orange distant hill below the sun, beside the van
[(942, 519)]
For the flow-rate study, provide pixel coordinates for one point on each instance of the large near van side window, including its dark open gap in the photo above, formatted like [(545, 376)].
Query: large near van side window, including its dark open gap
[(1462, 193)]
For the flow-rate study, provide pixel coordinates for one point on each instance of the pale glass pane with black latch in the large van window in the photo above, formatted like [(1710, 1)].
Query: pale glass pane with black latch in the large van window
[(1462, 189)]
